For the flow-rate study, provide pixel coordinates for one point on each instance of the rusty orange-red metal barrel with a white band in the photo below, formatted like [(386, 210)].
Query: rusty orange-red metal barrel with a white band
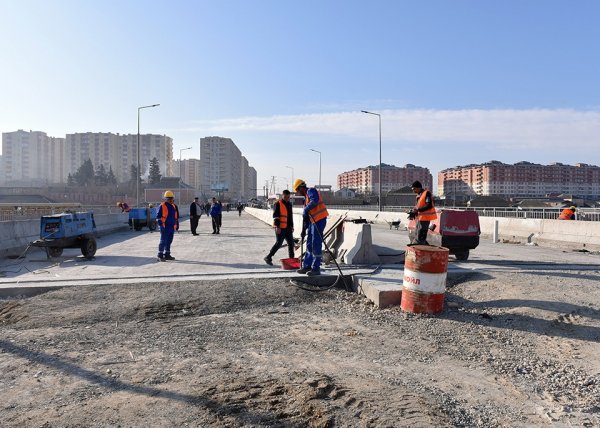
[(424, 282)]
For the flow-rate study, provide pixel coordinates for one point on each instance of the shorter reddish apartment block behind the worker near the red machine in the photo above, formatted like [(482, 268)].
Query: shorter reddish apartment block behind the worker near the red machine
[(366, 180)]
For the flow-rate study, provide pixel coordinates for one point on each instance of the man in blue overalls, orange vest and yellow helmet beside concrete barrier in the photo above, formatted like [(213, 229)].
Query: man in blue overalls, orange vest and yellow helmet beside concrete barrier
[(314, 216)]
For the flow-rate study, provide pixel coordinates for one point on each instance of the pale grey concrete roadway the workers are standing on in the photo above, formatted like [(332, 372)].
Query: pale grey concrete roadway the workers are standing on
[(130, 257)]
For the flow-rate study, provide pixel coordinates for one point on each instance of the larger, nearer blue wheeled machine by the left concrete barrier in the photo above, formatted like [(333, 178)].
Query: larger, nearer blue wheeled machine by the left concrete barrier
[(67, 230)]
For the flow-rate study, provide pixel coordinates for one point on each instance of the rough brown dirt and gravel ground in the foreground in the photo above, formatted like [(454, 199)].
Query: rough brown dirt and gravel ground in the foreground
[(517, 348)]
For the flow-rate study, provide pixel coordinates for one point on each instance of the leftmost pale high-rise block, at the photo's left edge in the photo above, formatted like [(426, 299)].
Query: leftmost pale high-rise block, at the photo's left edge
[(32, 158)]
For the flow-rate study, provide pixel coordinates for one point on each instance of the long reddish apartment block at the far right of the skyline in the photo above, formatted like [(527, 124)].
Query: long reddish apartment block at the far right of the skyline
[(522, 179)]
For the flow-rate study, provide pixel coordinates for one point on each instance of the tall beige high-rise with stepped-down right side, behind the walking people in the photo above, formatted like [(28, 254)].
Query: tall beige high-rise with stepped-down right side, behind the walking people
[(223, 168)]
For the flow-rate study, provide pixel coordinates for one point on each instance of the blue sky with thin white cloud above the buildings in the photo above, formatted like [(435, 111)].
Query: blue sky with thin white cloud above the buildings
[(455, 82)]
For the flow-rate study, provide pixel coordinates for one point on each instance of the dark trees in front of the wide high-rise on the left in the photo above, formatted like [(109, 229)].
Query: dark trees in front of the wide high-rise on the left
[(86, 175)]
